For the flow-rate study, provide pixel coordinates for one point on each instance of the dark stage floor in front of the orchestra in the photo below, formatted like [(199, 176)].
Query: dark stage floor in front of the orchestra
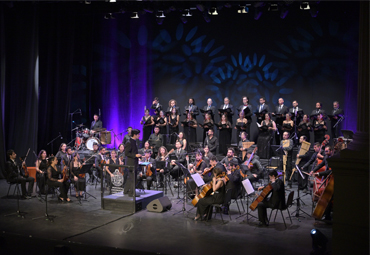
[(87, 228)]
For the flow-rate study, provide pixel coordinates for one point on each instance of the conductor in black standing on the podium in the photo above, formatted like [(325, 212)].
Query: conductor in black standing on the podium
[(132, 155)]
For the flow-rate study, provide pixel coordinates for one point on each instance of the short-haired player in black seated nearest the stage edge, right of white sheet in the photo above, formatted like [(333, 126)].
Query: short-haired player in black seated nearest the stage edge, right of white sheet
[(276, 201)]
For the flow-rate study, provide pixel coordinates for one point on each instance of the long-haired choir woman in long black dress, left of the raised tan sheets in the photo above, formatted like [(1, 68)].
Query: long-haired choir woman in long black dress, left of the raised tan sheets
[(267, 129)]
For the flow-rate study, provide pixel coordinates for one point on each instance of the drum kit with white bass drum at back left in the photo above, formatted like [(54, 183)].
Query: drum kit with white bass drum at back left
[(85, 138)]
